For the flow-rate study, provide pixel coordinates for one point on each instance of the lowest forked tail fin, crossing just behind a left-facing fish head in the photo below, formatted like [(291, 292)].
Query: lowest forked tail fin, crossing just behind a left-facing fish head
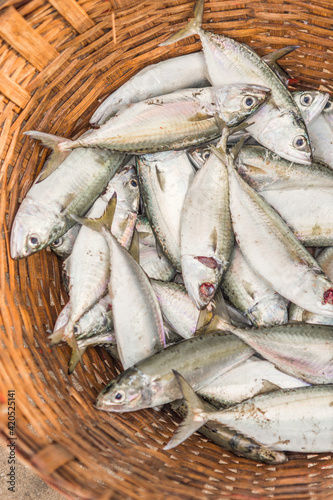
[(196, 415)]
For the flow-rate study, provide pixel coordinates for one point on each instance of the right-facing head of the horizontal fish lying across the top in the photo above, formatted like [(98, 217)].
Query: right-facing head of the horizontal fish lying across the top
[(234, 103)]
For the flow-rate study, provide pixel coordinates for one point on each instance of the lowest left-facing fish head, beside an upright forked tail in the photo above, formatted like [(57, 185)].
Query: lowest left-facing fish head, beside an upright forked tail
[(129, 391)]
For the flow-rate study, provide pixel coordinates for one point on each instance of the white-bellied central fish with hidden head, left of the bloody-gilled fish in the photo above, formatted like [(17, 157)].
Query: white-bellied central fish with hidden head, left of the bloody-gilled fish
[(164, 181)]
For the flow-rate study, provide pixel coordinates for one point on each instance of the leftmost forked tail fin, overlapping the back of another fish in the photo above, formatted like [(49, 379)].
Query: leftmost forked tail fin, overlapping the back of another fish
[(57, 156)]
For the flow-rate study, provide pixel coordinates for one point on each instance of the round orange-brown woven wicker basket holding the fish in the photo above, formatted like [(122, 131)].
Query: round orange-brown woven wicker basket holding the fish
[(57, 59)]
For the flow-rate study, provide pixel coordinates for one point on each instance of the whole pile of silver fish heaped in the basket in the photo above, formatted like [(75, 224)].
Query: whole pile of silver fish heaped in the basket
[(184, 214)]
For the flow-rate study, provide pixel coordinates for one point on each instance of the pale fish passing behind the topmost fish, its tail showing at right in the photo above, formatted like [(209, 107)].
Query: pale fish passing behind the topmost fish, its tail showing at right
[(182, 72)]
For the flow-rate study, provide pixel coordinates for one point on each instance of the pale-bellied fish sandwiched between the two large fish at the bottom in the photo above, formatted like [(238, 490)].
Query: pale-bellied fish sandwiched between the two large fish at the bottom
[(254, 376)]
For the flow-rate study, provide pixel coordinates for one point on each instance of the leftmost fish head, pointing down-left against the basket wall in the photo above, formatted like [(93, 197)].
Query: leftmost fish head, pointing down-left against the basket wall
[(34, 228)]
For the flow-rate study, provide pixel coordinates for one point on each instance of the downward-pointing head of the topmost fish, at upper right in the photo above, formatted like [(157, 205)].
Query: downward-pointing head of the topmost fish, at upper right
[(284, 133)]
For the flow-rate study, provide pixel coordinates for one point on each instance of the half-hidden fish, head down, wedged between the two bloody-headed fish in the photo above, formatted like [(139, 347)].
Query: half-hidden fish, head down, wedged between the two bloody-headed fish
[(251, 295)]
